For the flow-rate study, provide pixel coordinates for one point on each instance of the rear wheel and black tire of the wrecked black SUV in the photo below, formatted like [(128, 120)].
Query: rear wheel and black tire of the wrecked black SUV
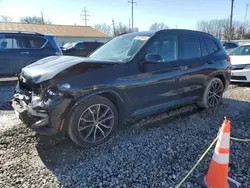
[(206, 98)]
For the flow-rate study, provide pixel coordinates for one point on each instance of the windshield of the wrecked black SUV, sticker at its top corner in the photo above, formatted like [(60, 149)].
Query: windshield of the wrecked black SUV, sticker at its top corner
[(121, 48)]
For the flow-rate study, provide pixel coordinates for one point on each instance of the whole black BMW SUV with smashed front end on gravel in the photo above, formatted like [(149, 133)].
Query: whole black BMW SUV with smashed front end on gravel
[(133, 75)]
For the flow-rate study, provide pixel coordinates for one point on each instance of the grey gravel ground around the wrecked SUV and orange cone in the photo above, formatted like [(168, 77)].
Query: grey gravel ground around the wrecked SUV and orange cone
[(155, 152)]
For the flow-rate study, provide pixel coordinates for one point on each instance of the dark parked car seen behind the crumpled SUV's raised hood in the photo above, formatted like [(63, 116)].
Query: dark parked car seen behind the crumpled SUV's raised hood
[(82, 49)]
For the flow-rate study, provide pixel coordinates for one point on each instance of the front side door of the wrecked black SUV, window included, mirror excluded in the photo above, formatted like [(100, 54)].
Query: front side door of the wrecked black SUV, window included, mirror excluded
[(157, 84)]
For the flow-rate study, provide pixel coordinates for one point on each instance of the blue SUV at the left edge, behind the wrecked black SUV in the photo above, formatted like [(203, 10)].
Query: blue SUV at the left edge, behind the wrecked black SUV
[(19, 49)]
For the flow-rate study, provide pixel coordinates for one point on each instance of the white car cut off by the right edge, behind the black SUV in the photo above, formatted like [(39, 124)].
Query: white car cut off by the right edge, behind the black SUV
[(240, 59)]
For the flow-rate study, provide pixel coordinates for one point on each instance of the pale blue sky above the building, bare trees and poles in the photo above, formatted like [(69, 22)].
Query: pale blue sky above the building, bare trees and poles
[(181, 13)]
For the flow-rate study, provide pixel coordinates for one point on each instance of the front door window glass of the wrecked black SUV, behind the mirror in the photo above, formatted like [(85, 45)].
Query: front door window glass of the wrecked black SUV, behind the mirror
[(166, 47)]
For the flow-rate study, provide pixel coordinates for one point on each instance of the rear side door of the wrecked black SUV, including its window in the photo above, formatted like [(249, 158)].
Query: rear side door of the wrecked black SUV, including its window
[(196, 65)]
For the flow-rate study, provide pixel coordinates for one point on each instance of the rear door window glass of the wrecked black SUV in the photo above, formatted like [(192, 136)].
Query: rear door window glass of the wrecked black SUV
[(190, 47)]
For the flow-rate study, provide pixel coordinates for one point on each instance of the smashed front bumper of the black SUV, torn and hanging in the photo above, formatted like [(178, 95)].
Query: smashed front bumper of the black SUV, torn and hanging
[(44, 116)]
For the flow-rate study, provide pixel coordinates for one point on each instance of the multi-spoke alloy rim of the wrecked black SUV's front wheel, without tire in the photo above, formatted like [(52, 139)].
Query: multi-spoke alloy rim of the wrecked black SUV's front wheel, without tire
[(95, 123)]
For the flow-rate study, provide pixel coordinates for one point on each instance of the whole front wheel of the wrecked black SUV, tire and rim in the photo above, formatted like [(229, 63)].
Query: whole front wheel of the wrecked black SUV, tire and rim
[(93, 122)]
